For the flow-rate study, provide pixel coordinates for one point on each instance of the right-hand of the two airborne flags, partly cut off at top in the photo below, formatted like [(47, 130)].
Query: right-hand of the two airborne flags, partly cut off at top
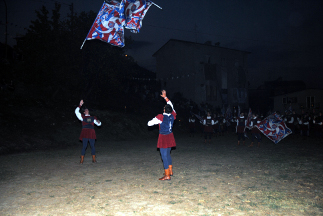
[(135, 11)]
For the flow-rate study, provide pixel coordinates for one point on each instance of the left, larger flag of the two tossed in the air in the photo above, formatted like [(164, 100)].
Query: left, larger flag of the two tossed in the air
[(109, 24)]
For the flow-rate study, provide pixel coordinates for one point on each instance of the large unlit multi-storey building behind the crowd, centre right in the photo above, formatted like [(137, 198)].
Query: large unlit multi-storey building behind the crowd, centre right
[(203, 73)]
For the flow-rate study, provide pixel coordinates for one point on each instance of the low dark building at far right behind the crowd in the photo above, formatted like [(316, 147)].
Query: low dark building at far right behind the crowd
[(307, 100)]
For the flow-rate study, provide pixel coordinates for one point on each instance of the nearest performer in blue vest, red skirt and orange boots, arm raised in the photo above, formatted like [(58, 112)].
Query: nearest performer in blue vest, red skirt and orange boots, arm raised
[(166, 138)]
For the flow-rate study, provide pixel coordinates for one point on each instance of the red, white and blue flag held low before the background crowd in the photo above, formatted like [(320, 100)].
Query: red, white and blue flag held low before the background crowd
[(274, 128)]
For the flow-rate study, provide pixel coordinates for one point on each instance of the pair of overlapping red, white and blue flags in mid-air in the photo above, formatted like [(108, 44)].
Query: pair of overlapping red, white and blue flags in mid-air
[(114, 16)]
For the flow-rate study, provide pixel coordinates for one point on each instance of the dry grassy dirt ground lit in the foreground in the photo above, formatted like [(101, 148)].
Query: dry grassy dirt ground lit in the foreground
[(219, 178)]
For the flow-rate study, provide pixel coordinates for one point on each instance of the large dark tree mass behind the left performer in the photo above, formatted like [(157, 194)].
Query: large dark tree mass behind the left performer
[(53, 59)]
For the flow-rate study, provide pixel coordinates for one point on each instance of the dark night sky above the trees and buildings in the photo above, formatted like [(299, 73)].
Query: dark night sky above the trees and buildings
[(283, 36)]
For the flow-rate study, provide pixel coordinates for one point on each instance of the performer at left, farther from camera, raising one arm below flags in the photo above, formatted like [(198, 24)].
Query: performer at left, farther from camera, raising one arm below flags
[(88, 132)]
